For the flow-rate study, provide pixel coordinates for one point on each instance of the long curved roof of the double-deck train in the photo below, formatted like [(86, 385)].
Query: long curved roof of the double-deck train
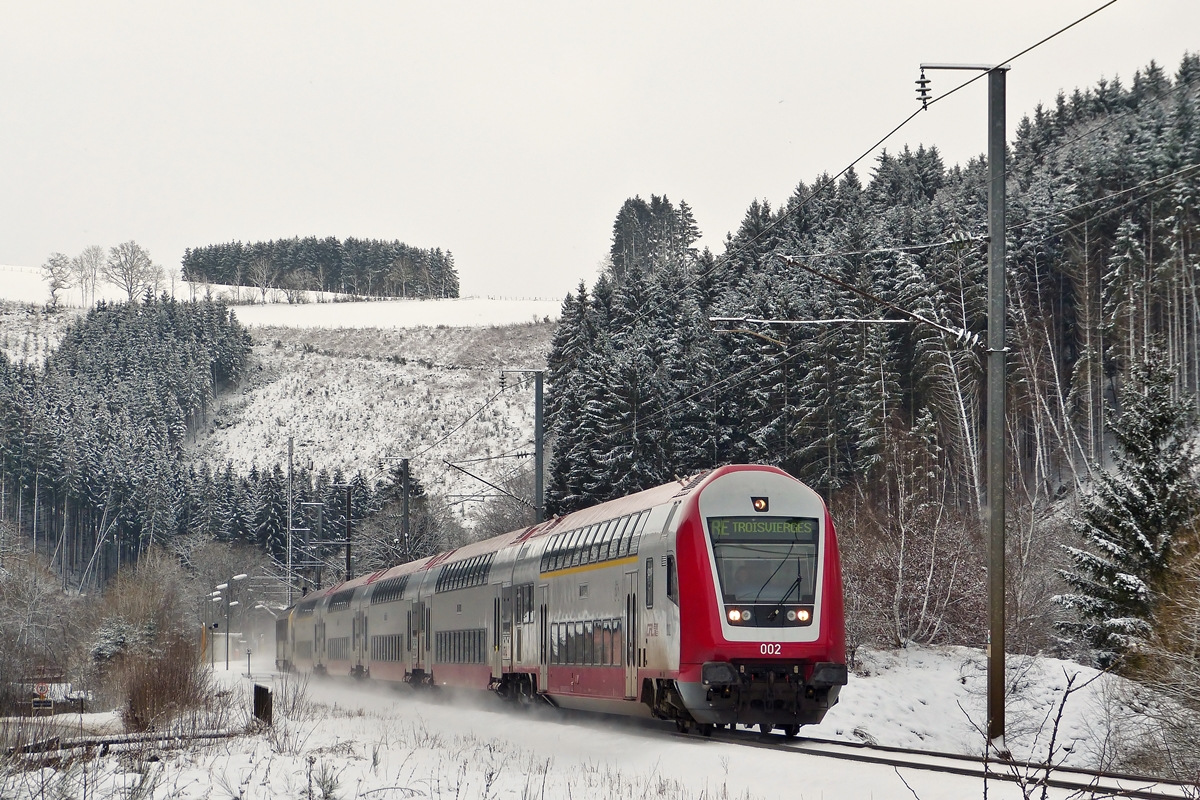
[(608, 510)]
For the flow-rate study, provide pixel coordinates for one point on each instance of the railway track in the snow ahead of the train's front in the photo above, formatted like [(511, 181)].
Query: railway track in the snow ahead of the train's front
[(1089, 784)]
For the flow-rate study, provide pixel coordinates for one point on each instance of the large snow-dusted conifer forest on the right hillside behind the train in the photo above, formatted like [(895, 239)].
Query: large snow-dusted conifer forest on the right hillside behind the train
[(886, 419)]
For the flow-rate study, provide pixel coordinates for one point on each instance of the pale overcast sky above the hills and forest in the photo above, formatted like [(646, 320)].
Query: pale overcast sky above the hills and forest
[(509, 134)]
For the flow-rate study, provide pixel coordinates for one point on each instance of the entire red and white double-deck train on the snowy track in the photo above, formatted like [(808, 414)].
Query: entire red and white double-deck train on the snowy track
[(711, 601)]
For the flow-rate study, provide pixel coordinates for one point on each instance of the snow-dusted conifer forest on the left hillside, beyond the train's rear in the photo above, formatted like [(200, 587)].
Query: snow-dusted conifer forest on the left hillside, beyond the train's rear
[(93, 461)]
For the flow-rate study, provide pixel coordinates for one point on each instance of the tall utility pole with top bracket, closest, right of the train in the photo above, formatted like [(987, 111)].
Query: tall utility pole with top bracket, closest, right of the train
[(998, 384)]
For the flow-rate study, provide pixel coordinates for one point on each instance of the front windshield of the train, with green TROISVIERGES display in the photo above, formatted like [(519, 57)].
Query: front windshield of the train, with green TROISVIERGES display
[(766, 560)]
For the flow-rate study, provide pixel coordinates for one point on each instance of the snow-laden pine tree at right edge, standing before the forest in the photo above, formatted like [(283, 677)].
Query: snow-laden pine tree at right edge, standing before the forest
[(1135, 515)]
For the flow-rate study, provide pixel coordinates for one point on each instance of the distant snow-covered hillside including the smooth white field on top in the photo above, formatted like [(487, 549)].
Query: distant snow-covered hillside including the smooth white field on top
[(353, 382)]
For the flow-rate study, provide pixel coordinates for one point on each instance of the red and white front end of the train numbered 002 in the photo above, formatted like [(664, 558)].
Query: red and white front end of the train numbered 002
[(761, 598)]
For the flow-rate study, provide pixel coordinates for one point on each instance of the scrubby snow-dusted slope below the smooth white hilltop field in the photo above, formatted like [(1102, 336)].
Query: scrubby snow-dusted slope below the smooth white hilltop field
[(350, 398)]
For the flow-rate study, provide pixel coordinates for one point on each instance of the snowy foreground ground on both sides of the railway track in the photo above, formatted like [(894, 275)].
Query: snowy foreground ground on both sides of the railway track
[(358, 741)]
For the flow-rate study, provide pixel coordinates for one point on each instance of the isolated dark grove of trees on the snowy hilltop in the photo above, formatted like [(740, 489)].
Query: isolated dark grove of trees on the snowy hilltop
[(358, 267)]
